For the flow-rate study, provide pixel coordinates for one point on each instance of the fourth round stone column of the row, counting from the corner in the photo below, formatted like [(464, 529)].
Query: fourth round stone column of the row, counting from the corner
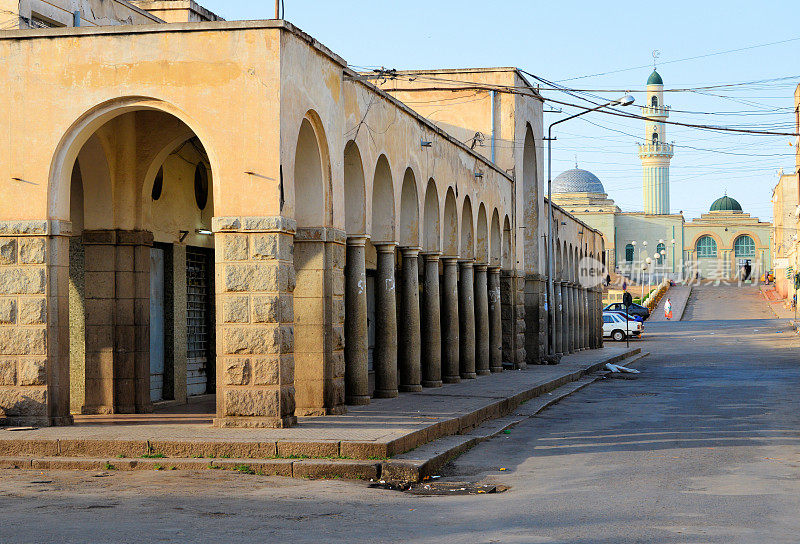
[(431, 324)]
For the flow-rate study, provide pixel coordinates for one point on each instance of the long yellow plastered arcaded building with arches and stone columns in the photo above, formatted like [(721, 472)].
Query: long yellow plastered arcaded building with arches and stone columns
[(242, 214)]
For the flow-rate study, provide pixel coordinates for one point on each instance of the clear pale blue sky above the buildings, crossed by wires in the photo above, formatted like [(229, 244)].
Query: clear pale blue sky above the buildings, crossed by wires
[(560, 40)]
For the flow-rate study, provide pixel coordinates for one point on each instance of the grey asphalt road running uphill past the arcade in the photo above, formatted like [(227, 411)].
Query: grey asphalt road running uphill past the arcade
[(703, 447)]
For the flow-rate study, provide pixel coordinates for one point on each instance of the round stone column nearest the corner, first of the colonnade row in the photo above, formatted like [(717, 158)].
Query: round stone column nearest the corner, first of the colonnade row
[(356, 342)]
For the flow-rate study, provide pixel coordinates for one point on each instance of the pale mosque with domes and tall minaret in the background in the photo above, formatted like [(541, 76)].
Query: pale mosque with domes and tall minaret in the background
[(657, 242)]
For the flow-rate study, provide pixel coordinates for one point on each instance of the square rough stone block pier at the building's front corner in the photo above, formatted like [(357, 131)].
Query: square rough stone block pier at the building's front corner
[(255, 282)]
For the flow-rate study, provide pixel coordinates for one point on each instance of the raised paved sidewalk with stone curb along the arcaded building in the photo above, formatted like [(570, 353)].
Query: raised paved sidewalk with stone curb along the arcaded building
[(349, 445)]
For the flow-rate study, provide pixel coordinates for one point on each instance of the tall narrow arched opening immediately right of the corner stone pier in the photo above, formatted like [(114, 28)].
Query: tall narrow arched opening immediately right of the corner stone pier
[(317, 391)]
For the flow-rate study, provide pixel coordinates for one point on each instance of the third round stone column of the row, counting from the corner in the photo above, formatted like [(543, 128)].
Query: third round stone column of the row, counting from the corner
[(409, 345)]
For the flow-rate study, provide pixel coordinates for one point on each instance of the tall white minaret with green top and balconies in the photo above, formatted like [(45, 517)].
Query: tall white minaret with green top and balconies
[(656, 152)]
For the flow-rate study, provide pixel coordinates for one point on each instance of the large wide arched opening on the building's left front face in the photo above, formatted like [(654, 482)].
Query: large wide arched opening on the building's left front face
[(141, 288)]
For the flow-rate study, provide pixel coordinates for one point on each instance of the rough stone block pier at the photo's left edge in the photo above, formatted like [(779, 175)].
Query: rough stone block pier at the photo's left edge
[(29, 349)]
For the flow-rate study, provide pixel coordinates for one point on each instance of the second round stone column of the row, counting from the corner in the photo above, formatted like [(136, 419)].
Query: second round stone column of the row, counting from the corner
[(385, 351)]
